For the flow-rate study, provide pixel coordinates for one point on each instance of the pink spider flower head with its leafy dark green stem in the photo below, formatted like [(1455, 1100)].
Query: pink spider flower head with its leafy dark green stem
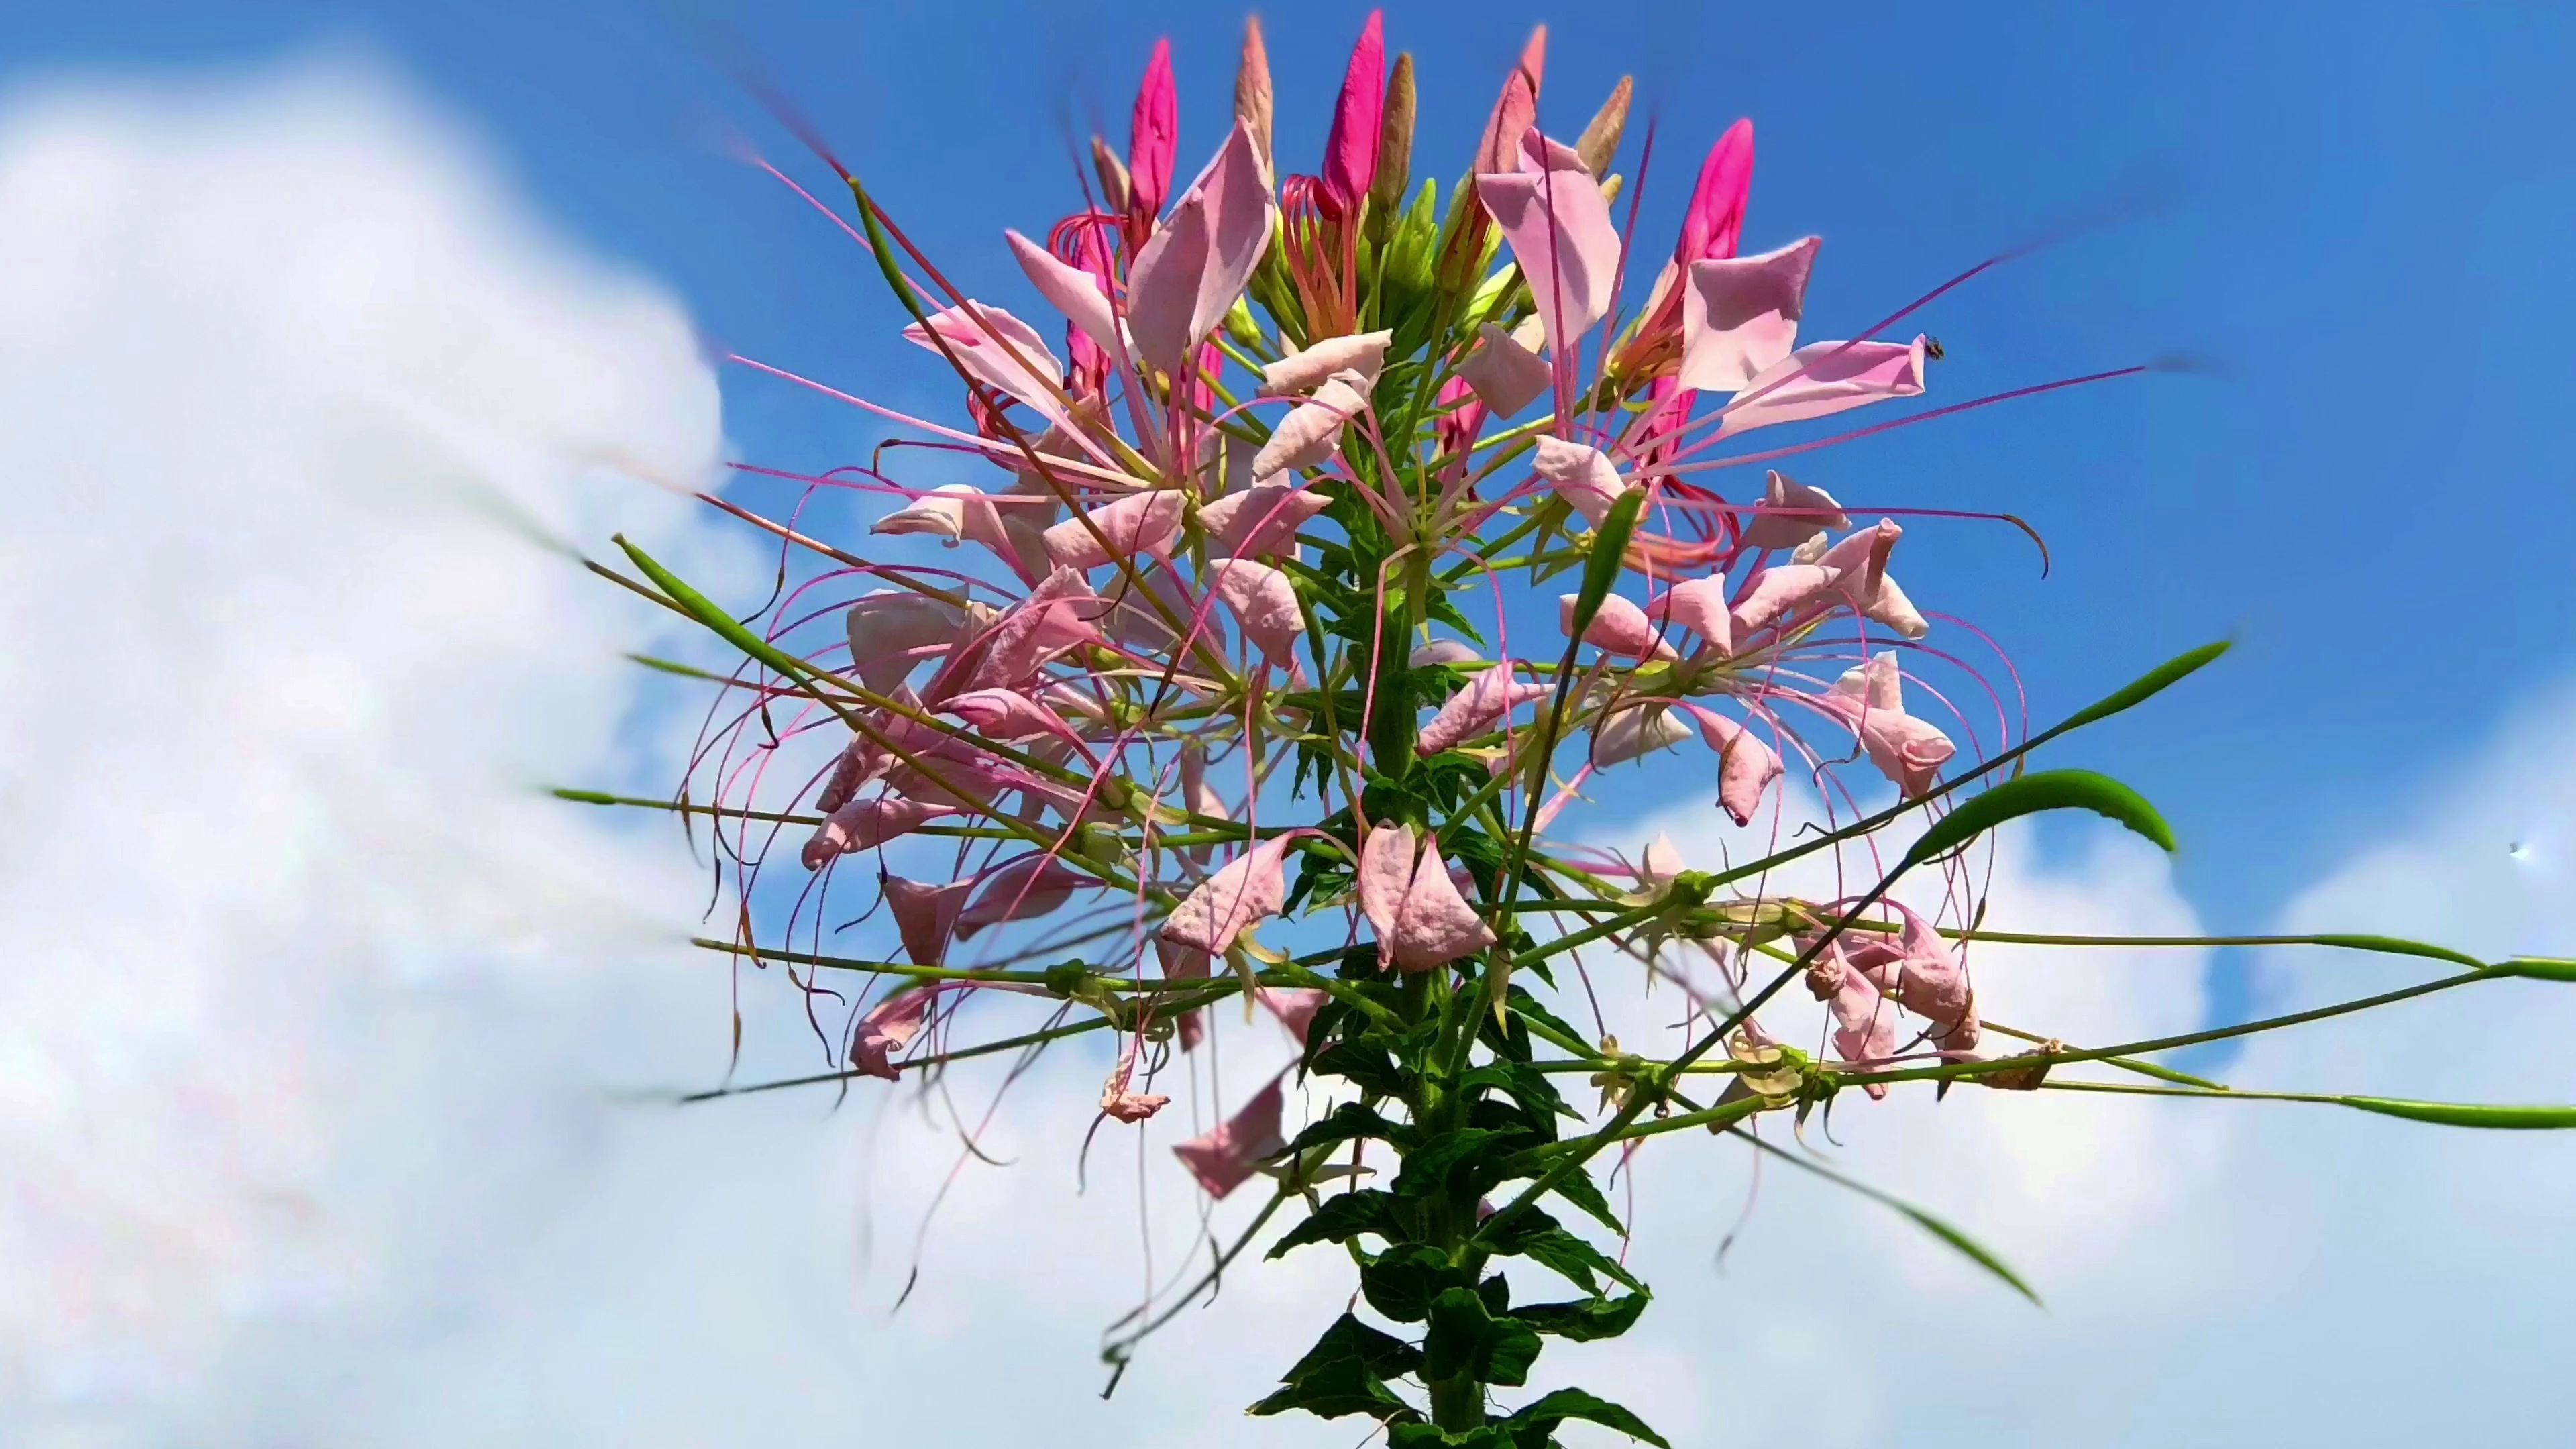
[(1220, 666)]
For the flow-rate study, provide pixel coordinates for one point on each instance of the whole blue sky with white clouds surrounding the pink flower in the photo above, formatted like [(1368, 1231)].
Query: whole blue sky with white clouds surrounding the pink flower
[(2353, 220)]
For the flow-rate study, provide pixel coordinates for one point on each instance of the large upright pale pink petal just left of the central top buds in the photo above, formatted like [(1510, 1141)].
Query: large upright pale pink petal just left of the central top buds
[(1191, 272)]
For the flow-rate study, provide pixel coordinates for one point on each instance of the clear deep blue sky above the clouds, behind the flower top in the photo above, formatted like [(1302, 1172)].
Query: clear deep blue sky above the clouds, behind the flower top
[(2345, 218)]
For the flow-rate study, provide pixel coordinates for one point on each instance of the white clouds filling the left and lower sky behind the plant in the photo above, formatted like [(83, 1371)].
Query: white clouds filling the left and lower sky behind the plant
[(310, 1004)]
